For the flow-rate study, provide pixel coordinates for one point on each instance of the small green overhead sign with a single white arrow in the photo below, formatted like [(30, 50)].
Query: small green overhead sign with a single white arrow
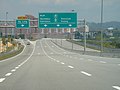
[(22, 23)]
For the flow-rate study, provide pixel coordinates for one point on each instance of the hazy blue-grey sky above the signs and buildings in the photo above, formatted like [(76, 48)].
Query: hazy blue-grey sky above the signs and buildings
[(86, 9)]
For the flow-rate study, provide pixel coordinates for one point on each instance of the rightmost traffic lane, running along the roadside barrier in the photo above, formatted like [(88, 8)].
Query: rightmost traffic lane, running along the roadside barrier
[(85, 57)]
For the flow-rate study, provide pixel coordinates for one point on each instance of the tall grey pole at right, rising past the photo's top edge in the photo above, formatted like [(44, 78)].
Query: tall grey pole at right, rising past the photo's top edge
[(101, 26)]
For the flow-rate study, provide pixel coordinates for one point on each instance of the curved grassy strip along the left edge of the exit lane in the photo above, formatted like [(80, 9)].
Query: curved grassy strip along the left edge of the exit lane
[(12, 53)]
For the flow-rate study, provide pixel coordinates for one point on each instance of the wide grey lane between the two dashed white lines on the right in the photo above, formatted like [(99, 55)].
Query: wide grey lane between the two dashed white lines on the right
[(99, 69)]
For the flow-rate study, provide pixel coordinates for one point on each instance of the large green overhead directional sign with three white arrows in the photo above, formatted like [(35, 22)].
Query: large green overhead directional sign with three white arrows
[(57, 20)]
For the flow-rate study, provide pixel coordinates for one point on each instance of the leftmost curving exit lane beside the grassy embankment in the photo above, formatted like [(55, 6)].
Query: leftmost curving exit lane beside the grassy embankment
[(9, 64)]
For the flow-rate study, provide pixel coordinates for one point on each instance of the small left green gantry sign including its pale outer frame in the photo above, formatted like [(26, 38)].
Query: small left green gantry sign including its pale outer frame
[(22, 24)]
